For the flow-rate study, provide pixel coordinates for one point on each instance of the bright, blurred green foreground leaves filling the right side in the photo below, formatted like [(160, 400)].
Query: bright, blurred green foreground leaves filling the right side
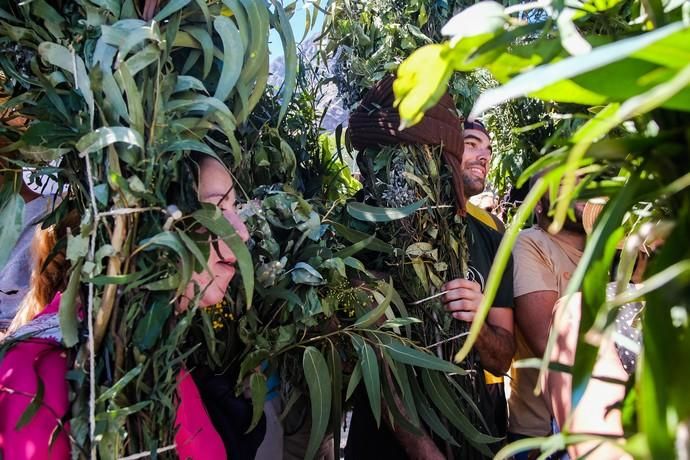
[(636, 127)]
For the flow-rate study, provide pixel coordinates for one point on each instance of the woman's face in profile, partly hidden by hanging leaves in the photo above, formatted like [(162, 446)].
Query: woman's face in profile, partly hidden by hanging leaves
[(216, 187)]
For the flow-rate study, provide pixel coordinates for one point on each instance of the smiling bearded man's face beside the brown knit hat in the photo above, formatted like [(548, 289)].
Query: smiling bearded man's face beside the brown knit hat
[(475, 161)]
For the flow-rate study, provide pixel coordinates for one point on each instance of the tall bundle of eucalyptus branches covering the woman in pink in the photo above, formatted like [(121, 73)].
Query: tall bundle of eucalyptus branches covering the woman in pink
[(118, 99)]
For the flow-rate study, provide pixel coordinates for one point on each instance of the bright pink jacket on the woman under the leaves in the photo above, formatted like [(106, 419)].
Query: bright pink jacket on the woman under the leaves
[(41, 357)]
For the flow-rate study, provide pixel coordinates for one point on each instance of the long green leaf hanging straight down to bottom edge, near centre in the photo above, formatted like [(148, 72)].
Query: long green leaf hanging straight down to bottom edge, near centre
[(319, 383)]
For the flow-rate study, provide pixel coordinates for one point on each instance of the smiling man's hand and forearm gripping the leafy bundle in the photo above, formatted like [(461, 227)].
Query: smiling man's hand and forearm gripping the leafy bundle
[(496, 343)]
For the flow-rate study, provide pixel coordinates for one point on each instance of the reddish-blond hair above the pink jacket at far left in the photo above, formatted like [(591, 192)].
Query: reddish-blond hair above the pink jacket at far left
[(49, 274)]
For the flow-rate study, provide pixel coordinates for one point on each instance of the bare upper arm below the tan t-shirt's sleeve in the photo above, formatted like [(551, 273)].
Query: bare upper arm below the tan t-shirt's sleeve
[(533, 317)]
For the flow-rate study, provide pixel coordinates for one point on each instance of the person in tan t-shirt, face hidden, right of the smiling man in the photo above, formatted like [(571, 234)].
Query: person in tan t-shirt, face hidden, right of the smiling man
[(543, 265)]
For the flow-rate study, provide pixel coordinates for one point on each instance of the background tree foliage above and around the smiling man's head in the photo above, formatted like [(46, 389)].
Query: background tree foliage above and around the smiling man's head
[(368, 40)]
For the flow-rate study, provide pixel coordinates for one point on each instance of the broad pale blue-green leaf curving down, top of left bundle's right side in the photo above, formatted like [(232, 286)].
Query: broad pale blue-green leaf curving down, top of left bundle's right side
[(233, 56)]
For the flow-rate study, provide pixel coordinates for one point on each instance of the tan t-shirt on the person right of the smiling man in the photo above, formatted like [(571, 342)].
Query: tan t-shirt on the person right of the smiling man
[(541, 263)]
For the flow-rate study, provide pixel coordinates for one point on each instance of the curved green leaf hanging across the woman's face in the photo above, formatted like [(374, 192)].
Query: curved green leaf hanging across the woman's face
[(212, 218)]
